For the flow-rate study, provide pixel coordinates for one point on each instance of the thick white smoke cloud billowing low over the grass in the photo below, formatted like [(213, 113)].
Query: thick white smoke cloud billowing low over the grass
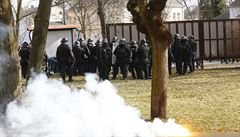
[(48, 108)]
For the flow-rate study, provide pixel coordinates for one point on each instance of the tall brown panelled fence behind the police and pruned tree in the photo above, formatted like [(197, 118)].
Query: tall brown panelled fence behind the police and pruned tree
[(217, 39)]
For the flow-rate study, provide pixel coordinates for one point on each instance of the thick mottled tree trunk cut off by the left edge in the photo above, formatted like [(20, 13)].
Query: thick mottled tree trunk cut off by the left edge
[(9, 64)]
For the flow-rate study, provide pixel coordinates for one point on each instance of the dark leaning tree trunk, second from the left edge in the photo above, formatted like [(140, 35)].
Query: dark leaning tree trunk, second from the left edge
[(41, 22)]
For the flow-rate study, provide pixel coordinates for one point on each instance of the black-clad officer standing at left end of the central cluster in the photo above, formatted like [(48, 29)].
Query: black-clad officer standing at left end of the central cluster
[(65, 59)]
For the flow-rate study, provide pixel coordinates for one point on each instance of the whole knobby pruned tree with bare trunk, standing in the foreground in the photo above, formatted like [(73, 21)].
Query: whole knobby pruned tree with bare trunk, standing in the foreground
[(147, 16)]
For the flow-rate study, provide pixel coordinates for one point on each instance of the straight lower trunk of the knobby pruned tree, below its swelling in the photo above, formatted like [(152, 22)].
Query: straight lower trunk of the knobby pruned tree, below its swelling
[(159, 79)]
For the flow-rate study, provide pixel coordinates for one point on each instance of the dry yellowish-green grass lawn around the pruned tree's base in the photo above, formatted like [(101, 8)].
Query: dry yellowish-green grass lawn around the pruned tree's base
[(206, 101)]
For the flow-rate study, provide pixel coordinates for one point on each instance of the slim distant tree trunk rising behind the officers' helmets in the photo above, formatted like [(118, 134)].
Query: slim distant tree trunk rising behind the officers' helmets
[(101, 14)]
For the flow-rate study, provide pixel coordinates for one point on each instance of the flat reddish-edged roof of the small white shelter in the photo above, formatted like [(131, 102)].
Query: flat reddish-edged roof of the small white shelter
[(58, 27)]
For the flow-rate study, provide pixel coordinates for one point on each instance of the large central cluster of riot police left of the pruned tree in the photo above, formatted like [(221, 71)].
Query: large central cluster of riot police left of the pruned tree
[(102, 56)]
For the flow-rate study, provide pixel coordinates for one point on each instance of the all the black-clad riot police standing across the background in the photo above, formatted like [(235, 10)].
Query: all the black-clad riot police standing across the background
[(103, 56)]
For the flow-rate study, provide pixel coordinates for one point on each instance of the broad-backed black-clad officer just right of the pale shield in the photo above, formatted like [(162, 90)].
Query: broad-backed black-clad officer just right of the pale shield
[(122, 53)]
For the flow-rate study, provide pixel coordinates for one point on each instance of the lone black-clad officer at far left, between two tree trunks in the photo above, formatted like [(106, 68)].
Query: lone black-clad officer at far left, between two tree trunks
[(24, 53)]
